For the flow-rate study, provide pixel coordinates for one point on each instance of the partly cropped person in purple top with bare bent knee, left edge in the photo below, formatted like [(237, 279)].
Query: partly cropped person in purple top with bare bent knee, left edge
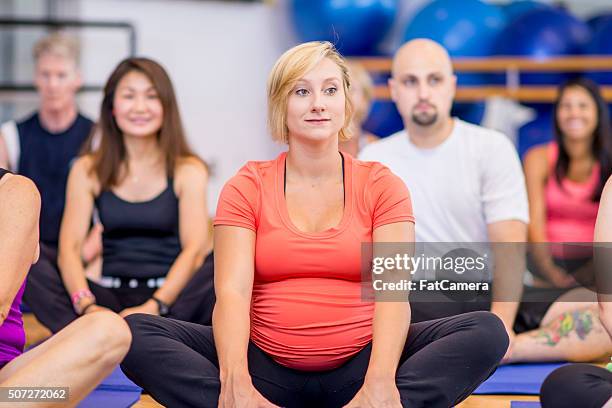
[(75, 359)]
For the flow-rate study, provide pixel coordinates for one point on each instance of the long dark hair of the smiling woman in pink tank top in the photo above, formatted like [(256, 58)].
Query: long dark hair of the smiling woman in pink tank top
[(601, 147)]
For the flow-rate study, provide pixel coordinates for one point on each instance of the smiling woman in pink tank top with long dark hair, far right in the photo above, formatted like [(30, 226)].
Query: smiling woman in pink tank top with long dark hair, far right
[(565, 179)]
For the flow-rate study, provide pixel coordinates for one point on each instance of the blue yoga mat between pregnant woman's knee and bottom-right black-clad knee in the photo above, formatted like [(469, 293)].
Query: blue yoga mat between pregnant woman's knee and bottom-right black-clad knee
[(517, 379)]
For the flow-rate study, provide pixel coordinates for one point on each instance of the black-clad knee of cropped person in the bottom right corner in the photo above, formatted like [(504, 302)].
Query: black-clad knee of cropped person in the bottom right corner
[(577, 385)]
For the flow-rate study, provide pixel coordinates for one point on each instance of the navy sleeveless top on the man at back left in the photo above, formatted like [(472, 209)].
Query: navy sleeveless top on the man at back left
[(46, 158)]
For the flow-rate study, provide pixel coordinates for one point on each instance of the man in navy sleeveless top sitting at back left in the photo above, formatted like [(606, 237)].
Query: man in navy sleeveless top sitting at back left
[(43, 146)]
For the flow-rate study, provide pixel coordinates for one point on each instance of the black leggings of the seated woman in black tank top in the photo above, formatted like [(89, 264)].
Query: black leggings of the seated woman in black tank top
[(46, 295)]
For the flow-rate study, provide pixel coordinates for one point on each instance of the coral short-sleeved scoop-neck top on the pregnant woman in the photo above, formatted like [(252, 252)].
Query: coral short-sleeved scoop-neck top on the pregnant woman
[(307, 310)]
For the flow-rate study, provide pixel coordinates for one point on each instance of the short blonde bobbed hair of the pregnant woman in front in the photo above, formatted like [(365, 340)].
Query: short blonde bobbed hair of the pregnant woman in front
[(288, 70)]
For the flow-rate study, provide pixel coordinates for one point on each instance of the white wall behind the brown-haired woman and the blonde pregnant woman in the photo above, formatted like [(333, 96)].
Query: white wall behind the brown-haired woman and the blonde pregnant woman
[(218, 56)]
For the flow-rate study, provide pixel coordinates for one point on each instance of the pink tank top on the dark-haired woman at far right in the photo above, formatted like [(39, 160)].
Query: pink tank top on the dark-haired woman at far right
[(570, 211)]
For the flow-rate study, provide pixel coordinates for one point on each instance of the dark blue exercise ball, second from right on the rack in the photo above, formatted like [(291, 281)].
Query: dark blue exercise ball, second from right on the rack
[(542, 34)]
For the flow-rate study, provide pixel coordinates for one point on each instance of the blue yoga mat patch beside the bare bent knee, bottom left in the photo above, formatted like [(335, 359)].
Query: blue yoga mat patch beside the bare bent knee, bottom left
[(115, 391)]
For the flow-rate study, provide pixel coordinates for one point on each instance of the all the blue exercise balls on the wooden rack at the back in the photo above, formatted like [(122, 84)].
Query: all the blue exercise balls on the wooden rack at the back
[(467, 28)]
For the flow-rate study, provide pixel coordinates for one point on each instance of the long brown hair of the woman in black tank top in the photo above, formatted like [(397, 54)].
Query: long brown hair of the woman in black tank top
[(111, 153)]
